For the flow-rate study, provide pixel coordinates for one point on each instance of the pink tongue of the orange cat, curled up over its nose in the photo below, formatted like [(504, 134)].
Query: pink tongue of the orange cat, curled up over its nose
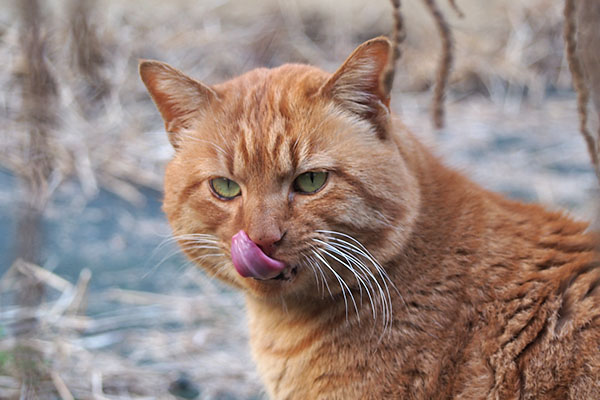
[(250, 261)]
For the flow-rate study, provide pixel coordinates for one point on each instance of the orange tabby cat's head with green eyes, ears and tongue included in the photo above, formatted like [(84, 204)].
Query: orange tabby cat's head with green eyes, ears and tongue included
[(293, 172)]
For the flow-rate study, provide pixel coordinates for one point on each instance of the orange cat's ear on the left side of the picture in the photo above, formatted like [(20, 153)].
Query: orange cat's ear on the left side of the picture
[(178, 97)]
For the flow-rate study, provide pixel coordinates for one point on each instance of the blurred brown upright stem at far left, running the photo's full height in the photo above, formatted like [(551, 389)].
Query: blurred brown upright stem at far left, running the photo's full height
[(39, 97)]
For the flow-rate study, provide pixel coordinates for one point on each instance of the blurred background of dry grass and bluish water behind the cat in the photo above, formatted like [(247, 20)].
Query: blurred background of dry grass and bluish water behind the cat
[(95, 301)]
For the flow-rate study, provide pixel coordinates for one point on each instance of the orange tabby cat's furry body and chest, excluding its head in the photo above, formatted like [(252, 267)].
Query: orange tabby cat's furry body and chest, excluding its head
[(499, 300)]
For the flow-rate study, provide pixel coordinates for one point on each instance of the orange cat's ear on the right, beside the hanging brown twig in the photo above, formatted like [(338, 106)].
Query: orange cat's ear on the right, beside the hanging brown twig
[(358, 85)]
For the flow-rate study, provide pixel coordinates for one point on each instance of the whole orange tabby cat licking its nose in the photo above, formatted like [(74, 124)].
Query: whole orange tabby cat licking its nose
[(371, 271)]
